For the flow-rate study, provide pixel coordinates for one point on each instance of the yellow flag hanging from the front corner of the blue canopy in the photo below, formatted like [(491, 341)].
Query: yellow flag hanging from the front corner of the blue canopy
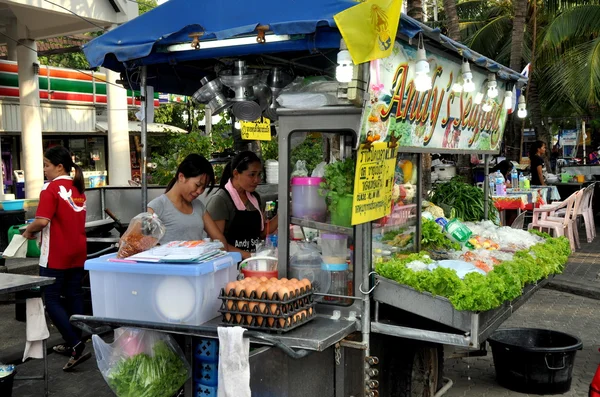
[(369, 28)]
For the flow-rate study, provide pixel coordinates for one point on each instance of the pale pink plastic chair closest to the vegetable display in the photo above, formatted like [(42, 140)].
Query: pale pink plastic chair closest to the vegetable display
[(545, 218)]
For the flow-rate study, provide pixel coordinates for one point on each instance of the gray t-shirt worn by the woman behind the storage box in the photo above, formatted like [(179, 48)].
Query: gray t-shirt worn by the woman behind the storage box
[(179, 226)]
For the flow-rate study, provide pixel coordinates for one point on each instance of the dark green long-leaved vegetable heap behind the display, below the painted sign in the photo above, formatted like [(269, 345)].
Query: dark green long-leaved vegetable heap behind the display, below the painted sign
[(461, 200)]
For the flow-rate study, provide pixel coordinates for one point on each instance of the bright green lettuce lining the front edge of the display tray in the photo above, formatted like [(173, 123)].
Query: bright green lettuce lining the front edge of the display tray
[(477, 292)]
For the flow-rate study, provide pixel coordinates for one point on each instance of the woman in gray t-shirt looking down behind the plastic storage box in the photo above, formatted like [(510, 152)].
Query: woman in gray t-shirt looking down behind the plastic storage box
[(185, 218)]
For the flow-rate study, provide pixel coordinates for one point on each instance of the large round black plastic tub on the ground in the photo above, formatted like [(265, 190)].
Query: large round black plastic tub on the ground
[(535, 361)]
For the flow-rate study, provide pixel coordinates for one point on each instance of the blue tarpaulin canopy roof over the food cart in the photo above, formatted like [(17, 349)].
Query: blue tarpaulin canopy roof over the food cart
[(313, 39)]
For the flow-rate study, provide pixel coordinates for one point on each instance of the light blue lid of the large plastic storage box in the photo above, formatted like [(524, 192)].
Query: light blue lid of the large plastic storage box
[(105, 264)]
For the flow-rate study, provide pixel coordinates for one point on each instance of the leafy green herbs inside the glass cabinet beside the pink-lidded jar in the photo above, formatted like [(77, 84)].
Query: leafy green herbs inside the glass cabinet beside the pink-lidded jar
[(339, 182)]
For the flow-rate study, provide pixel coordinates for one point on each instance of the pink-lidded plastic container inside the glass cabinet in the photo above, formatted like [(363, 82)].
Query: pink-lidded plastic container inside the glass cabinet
[(307, 203)]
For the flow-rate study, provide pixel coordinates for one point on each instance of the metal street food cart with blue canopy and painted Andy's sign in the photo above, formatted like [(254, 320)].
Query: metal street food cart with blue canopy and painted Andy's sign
[(381, 338)]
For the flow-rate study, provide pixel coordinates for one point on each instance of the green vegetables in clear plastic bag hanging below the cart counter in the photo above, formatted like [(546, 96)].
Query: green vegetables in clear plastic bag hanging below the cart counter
[(142, 375)]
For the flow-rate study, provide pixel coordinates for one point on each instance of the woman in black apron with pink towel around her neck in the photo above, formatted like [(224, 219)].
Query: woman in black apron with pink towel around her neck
[(236, 207)]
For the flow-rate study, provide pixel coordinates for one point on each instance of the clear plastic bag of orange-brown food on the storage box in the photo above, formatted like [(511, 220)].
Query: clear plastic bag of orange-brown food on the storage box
[(144, 232)]
